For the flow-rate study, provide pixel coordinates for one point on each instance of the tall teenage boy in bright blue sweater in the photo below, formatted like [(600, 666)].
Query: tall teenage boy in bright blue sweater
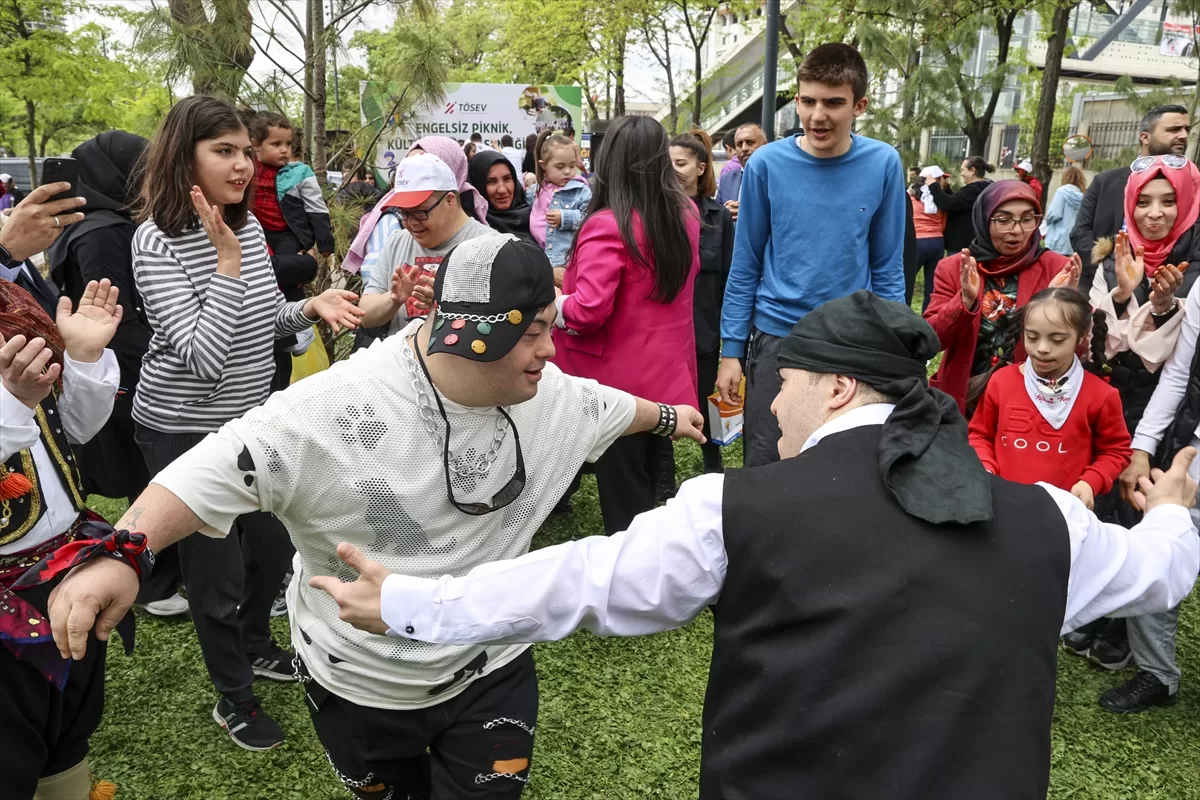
[(821, 216)]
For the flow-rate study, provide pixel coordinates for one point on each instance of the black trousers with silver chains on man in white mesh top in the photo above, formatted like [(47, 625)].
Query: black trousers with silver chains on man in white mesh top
[(478, 744)]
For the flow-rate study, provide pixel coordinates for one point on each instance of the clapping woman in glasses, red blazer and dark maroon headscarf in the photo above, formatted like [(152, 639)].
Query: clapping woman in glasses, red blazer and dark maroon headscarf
[(977, 291)]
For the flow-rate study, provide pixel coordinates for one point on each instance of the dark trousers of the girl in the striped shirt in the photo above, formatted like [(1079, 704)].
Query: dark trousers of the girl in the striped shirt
[(231, 582)]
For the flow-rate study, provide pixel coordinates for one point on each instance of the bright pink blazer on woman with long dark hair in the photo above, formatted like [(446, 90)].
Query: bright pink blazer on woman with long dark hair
[(616, 333)]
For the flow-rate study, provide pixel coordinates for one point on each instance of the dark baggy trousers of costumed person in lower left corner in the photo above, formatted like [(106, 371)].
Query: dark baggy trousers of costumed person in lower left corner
[(45, 731)]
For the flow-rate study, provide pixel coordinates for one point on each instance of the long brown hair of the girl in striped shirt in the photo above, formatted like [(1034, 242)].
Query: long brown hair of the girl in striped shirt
[(169, 161)]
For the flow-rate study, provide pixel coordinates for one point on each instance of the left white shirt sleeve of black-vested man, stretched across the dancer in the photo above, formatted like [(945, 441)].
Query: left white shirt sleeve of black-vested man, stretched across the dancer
[(657, 576)]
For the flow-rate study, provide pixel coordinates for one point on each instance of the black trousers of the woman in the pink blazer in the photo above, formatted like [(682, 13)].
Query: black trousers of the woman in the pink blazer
[(627, 479)]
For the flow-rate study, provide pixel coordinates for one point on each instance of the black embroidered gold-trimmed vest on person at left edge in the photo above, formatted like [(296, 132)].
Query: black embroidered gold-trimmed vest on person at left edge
[(21, 485)]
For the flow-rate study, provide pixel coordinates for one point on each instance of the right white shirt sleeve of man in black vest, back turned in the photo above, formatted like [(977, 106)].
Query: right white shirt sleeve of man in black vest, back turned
[(1119, 573)]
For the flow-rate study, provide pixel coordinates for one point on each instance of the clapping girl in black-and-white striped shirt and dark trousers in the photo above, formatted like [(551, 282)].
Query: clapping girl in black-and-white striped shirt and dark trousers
[(206, 279)]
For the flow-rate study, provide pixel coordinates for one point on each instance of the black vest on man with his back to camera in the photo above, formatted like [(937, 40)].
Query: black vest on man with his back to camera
[(861, 653)]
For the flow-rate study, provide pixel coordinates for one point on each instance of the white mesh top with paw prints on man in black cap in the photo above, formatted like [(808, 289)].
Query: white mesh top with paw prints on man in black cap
[(347, 456)]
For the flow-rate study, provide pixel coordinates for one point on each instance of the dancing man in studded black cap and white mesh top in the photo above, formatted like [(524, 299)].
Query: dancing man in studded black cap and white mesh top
[(435, 452)]
